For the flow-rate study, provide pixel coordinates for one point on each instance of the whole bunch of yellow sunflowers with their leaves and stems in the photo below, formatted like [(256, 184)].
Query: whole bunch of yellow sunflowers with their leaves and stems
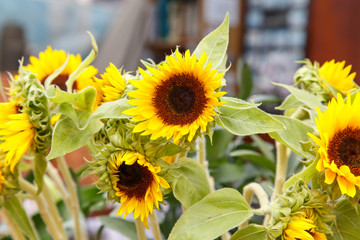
[(151, 135)]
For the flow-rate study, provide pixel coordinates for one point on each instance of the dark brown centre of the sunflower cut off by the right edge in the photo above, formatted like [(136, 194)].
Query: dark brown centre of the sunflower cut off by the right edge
[(344, 149)]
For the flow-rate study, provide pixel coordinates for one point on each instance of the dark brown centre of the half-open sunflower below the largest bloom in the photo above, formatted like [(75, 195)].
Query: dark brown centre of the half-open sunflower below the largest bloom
[(134, 180)]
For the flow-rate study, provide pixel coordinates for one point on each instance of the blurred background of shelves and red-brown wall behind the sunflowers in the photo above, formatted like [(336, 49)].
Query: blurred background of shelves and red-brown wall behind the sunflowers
[(268, 35)]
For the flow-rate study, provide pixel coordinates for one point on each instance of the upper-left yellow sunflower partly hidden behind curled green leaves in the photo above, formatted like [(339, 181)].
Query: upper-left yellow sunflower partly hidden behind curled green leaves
[(50, 60)]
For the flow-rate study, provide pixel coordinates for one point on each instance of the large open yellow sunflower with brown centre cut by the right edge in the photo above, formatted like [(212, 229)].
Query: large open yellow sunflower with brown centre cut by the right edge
[(339, 143)]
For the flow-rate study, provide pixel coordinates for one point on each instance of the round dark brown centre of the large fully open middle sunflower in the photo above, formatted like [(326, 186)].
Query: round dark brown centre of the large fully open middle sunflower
[(180, 99)]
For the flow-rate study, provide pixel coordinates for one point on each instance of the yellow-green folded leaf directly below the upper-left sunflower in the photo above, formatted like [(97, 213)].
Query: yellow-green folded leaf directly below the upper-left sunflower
[(82, 100)]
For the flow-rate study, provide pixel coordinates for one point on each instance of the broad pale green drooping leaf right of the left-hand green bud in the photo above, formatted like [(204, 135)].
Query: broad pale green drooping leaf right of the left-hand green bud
[(67, 136)]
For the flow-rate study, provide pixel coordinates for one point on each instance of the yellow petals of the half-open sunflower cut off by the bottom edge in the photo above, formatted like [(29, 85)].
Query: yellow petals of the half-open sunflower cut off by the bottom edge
[(303, 226)]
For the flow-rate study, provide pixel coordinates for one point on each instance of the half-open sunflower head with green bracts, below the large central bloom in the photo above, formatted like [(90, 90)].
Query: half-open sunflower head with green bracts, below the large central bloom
[(125, 172)]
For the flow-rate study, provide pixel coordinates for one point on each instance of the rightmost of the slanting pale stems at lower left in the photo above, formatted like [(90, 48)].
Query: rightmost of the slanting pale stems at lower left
[(74, 204)]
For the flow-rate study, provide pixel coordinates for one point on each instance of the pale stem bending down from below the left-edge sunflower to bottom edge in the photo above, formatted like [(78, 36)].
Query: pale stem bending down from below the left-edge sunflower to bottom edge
[(49, 221)]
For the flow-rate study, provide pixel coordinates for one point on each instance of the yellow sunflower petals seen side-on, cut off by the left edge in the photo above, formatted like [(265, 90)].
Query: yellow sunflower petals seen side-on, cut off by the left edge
[(15, 128)]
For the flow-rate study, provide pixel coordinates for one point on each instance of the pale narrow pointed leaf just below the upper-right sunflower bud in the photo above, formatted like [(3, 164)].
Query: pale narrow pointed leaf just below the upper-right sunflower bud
[(305, 97)]
